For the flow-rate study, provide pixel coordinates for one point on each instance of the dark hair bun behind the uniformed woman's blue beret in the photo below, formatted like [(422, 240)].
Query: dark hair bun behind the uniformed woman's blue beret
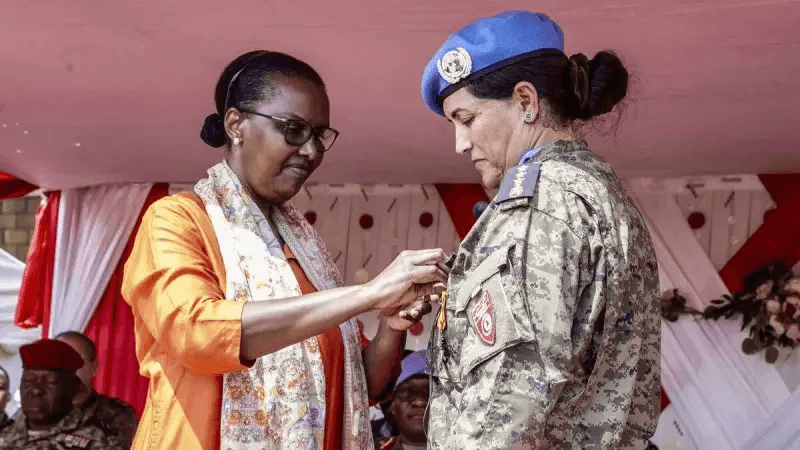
[(594, 86)]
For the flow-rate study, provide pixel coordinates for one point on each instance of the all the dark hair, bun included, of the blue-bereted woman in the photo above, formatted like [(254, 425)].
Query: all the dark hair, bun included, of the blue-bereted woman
[(574, 88)]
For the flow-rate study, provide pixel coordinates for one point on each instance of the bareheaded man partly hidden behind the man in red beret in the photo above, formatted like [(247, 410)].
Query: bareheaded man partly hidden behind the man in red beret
[(117, 418)]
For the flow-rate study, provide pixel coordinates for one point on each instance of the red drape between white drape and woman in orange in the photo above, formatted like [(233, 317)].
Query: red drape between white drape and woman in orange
[(112, 329)]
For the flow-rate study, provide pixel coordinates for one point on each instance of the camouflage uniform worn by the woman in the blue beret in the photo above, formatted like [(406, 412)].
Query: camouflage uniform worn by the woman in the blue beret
[(552, 337)]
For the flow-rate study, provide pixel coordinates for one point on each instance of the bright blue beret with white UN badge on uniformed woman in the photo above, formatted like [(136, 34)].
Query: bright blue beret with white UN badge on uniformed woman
[(486, 45)]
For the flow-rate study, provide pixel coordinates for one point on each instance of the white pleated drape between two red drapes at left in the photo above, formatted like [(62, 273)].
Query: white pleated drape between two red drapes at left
[(94, 225)]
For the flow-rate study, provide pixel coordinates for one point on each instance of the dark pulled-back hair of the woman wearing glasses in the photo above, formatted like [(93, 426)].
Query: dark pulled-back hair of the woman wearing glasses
[(247, 80)]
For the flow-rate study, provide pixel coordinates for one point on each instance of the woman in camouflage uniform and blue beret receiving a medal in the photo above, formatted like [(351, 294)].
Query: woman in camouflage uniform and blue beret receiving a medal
[(549, 336)]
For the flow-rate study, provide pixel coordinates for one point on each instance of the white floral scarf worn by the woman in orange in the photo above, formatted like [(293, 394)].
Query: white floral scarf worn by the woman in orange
[(280, 402)]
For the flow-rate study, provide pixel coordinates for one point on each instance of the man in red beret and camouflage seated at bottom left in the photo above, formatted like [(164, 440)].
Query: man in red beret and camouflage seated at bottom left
[(48, 389)]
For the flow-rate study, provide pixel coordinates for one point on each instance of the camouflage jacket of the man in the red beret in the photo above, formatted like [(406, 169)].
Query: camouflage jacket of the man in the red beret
[(69, 433)]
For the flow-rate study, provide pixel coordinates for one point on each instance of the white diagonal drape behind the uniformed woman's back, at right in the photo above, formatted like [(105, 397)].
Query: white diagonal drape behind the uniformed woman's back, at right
[(720, 394)]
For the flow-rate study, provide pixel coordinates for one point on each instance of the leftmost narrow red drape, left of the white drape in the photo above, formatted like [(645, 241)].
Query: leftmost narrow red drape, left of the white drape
[(33, 306)]
